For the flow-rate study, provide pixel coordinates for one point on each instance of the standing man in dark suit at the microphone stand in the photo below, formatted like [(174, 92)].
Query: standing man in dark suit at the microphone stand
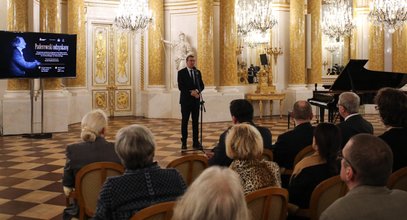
[(190, 85)]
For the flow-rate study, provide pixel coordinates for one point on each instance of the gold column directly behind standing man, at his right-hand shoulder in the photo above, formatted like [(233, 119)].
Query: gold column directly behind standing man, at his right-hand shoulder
[(205, 56)]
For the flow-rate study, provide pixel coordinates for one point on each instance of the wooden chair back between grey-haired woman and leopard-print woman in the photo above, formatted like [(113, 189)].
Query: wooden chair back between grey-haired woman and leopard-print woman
[(190, 166)]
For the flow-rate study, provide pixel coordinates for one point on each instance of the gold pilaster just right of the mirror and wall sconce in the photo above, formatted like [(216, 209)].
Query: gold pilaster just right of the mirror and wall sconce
[(297, 42)]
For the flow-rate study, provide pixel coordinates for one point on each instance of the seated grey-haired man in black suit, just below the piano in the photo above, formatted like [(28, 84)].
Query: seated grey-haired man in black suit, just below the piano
[(354, 123)]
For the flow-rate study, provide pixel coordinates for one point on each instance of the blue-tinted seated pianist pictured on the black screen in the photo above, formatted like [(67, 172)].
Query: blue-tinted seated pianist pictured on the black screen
[(18, 65)]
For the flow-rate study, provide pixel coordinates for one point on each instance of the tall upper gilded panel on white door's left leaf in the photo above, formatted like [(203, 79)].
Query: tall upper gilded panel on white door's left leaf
[(100, 41)]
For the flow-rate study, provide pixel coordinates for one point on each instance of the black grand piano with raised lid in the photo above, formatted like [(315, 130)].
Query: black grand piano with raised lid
[(354, 77)]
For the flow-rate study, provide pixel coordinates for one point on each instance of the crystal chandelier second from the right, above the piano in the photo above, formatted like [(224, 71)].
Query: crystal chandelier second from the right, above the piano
[(337, 19)]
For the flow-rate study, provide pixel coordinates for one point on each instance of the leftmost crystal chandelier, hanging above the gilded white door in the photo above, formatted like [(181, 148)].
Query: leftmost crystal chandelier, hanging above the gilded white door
[(133, 15)]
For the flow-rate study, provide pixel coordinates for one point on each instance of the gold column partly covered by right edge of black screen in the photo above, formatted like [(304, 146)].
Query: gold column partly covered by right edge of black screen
[(76, 25)]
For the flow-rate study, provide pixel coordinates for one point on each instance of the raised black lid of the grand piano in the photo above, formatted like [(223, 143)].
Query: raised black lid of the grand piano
[(354, 77)]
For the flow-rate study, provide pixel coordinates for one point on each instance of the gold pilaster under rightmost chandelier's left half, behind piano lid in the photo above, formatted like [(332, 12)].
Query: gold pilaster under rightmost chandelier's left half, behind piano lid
[(376, 48)]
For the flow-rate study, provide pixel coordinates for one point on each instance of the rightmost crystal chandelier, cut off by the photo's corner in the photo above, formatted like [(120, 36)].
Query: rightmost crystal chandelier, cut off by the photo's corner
[(389, 14)]
